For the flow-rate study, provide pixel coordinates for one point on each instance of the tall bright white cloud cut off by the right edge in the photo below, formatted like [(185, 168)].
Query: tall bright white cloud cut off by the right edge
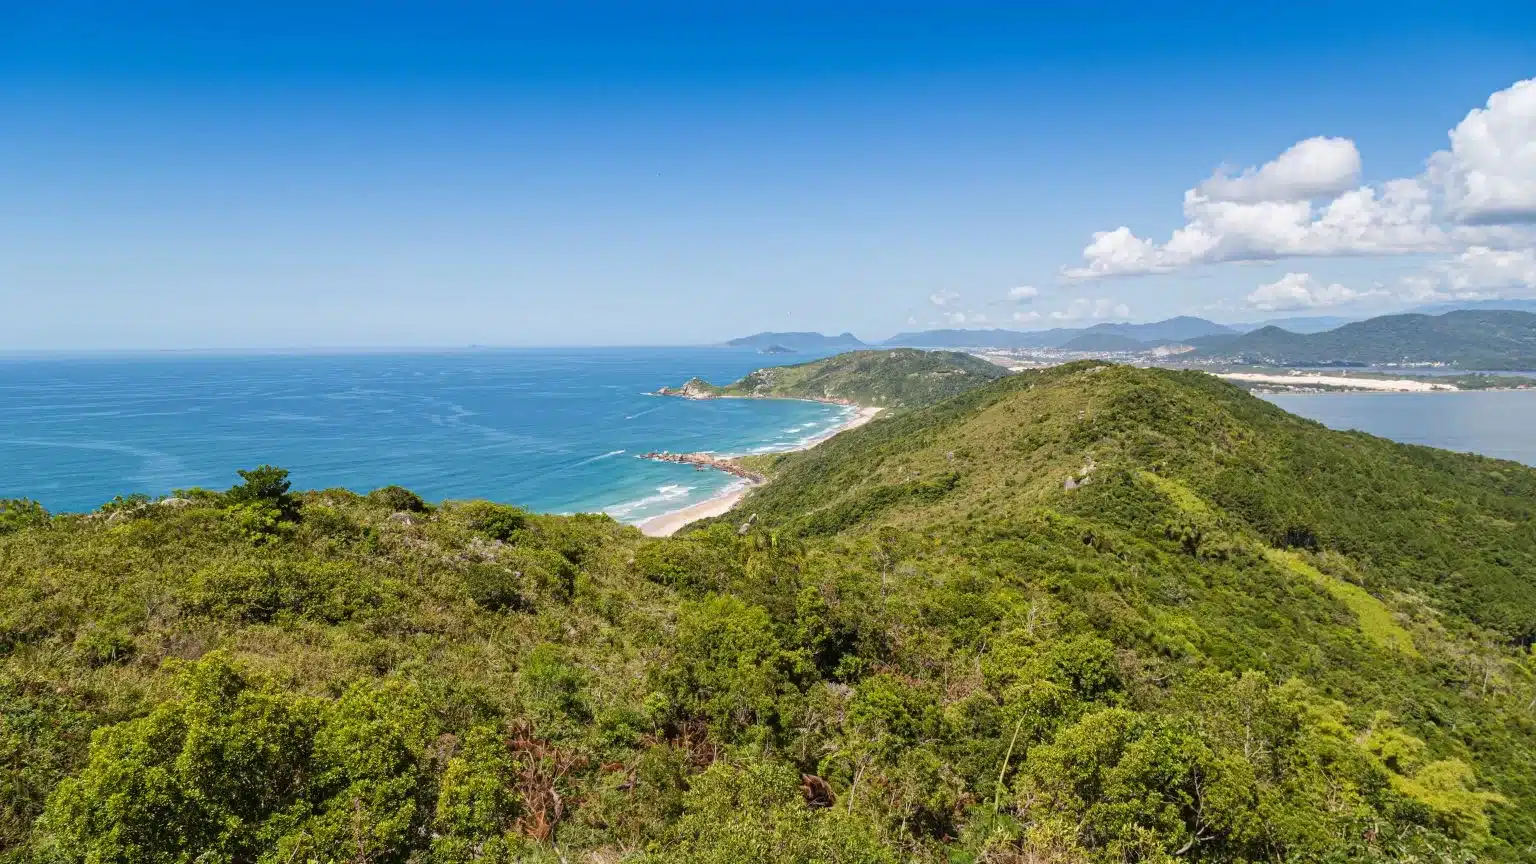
[(1489, 174)]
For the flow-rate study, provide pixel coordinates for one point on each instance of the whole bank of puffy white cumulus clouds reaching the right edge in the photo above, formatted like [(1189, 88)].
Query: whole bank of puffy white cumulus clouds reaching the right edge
[(1306, 204)]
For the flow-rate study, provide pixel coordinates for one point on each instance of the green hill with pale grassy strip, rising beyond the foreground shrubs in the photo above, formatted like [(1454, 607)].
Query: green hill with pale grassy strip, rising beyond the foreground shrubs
[(1426, 556)]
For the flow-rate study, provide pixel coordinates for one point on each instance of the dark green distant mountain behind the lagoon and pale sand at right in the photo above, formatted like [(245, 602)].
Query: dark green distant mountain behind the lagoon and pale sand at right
[(1469, 341)]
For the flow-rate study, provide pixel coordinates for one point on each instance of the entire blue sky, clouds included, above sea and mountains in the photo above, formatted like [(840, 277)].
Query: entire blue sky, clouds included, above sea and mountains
[(259, 176)]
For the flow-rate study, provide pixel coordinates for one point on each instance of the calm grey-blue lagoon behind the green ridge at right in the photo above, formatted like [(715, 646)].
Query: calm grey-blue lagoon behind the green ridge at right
[(1494, 424)]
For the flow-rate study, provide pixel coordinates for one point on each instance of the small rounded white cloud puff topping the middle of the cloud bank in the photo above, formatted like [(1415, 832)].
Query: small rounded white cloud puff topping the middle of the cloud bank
[(1309, 170)]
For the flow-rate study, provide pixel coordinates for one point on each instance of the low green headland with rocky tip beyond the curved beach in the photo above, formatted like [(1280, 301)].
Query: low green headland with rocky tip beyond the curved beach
[(879, 379)]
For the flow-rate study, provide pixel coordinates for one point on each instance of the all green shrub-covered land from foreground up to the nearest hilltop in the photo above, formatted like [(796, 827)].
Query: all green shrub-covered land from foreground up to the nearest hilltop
[(1087, 614)]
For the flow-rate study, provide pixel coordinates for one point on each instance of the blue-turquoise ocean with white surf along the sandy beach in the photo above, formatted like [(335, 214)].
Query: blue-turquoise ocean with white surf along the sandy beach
[(555, 431)]
